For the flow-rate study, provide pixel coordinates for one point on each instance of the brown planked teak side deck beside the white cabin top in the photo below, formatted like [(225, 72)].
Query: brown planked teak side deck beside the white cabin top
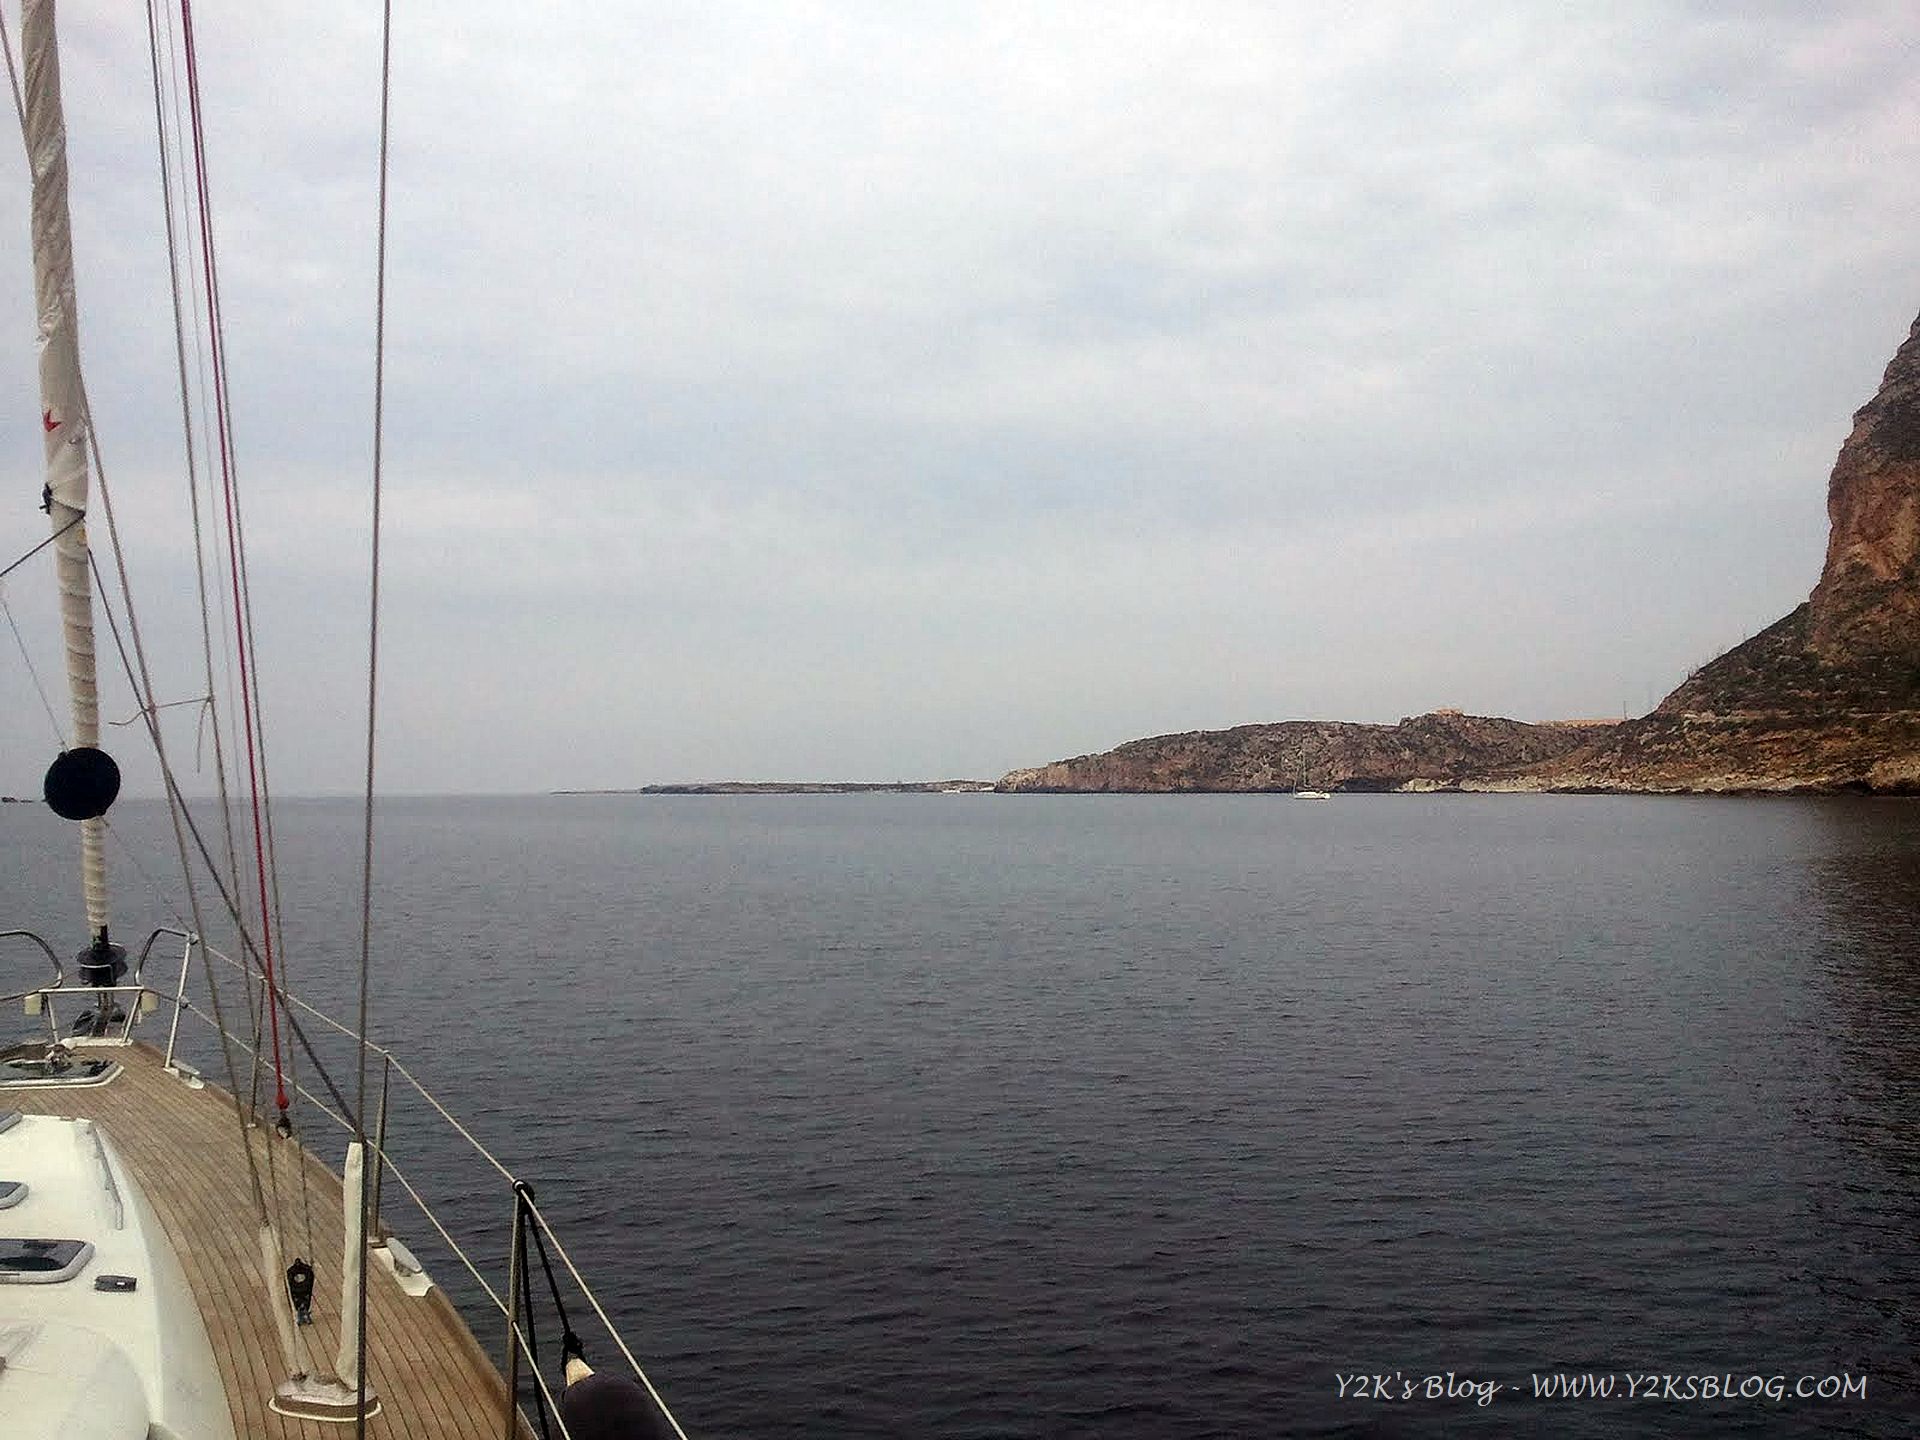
[(181, 1145)]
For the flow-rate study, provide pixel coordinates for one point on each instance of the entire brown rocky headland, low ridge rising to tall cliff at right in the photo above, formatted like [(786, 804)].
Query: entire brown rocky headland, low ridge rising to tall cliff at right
[(1823, 700)]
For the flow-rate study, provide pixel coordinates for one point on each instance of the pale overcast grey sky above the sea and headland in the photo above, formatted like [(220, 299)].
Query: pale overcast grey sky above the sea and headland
[(907, 393)]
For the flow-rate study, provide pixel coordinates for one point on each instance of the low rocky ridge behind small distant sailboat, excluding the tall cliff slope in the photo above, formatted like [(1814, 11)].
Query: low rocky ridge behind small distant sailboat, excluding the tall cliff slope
[(1428, 752)]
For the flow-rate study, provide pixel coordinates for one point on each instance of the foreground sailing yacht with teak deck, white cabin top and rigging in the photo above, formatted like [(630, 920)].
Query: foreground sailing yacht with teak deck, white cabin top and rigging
[(174, 1259)]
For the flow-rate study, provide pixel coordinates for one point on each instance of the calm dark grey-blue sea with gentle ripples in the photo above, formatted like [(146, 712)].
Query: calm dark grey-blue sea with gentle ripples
[(1138, 1116)]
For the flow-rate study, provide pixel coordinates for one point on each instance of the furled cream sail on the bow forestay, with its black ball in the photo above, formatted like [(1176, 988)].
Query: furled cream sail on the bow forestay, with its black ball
[(87, 779)]
